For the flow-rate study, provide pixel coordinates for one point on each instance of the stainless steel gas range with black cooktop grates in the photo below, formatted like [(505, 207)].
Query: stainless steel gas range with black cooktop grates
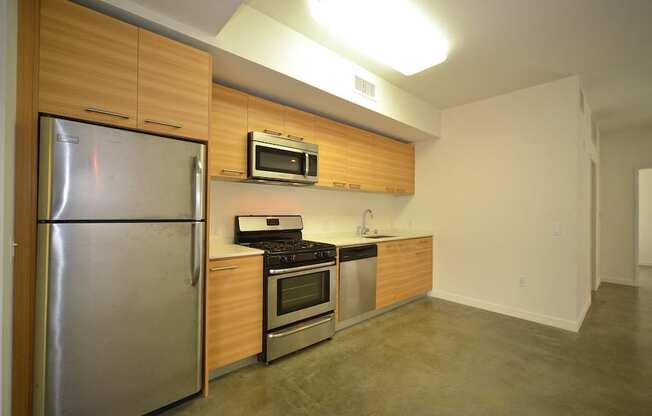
[(300, 279)]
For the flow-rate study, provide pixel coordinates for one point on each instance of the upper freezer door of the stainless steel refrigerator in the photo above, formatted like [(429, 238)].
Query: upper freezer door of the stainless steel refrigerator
[(89, 172)]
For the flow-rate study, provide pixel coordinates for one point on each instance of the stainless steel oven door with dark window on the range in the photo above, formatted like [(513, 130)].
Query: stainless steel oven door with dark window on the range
[(296, 295)]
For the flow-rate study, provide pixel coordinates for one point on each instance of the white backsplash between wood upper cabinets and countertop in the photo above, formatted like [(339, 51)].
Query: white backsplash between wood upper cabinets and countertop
[(323, 211)]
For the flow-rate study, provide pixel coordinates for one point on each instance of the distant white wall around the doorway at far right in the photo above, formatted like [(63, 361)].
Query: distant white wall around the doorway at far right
[(622, 154)]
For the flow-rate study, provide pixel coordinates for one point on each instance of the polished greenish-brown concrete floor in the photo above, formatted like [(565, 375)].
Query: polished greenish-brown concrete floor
[(438, 358)]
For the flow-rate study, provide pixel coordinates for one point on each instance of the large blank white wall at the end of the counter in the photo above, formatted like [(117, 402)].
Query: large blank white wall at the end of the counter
[(494, 190)]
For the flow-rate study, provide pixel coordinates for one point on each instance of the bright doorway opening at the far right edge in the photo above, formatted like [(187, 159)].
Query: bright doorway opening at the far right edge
[(643, 275)]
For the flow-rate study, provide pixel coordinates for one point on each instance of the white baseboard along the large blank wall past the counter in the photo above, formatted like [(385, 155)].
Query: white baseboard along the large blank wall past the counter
[(566, 324)]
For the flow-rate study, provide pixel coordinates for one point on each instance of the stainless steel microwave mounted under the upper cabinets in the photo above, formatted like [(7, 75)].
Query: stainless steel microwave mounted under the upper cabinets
[(276, 162)]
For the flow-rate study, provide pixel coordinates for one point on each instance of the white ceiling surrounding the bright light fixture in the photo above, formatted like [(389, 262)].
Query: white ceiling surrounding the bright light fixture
[(498, 46)]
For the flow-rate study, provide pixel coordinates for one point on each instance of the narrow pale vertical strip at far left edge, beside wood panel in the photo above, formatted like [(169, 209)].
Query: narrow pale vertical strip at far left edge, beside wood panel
[(7, 139)]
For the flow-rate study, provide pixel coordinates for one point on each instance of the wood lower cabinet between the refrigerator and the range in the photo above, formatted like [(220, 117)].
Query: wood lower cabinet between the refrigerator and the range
[(234, 310)]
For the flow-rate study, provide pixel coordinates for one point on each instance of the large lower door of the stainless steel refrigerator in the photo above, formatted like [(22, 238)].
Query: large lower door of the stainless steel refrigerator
[(119, 323)]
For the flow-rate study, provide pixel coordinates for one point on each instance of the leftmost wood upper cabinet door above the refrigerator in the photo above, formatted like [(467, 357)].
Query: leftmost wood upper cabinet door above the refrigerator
[(88, 65)]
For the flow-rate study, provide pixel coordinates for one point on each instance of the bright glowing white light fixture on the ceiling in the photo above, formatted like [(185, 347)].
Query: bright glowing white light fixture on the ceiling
[(392, 32)]
